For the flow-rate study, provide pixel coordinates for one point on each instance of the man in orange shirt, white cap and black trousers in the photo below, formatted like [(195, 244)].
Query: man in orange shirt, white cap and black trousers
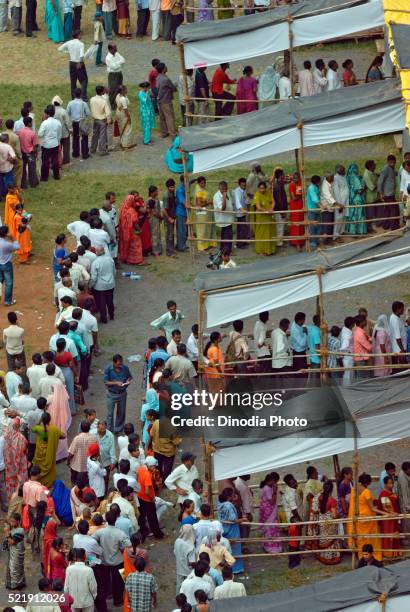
[(146, 498)]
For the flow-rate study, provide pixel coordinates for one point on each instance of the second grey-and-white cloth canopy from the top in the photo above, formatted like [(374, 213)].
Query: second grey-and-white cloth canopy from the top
[(345, 114)]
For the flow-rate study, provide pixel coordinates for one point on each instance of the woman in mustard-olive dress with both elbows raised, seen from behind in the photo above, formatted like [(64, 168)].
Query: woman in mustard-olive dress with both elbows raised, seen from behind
[(48, 438)]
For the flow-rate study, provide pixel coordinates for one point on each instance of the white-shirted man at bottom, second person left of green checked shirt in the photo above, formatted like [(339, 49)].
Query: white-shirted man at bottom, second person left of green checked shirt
[(80, 582)]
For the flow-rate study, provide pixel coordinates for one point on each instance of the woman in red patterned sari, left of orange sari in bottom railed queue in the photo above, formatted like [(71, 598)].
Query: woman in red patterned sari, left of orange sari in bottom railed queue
[(328, 531)]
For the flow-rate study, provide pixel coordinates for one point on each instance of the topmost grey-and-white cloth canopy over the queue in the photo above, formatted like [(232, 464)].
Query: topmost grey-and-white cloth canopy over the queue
[(311, 21)]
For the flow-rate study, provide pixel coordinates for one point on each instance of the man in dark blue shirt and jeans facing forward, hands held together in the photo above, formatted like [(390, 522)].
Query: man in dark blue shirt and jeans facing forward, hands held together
[(117, 378)]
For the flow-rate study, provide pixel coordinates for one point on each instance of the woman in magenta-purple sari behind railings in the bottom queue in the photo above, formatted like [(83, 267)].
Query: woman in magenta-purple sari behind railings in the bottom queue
[(268, 511)]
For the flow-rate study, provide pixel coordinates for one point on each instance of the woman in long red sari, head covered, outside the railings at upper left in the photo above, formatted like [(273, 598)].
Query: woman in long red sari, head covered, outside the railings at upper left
[(130, 246)]
